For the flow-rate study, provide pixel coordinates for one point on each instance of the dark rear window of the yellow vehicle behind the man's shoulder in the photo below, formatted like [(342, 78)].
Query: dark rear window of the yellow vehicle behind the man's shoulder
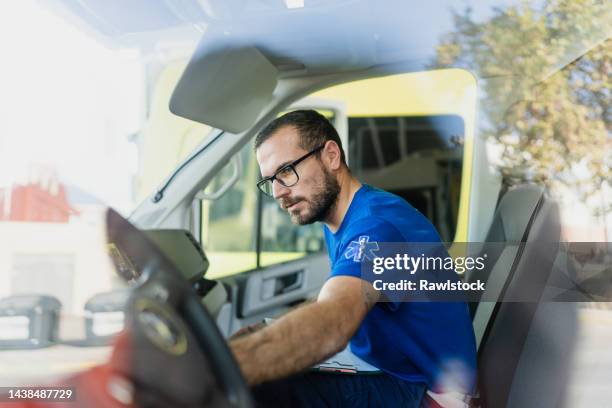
[(418, 158)]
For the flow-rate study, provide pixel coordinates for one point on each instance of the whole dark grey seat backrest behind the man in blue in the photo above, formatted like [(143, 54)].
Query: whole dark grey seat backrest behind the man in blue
[(526, 274)]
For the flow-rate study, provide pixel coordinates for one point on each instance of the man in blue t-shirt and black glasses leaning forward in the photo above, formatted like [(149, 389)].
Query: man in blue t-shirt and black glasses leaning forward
[(418, 346)]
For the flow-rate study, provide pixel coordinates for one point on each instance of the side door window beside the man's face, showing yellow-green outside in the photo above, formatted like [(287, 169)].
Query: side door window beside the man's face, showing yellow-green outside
[(244, 230)]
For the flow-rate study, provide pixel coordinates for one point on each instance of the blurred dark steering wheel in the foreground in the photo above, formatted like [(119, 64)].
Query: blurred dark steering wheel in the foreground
[(173, 351)]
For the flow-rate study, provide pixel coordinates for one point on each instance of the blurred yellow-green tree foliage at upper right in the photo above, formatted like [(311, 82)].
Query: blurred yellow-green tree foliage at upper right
[(545, 77)]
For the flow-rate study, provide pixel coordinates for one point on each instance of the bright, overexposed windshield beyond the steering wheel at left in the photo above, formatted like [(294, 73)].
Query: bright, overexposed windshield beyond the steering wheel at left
[(76, 137)]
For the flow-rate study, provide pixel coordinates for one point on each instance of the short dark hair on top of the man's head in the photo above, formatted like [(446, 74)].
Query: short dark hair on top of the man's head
[(314, 130)]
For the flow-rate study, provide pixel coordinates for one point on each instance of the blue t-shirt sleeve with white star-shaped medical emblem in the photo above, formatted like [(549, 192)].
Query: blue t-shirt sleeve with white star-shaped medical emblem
[(361, 243)]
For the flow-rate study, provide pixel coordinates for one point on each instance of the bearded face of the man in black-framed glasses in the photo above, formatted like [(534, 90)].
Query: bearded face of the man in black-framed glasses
[(315, 194)]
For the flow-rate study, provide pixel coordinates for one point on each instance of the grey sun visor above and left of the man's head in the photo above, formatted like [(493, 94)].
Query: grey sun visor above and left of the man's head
[(226, 88)]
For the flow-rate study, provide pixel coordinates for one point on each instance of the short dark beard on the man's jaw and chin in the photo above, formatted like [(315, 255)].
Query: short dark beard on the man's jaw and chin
[(320, 205)]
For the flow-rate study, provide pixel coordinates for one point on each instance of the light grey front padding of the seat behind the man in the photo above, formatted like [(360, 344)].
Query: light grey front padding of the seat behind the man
[(510, 227)]
